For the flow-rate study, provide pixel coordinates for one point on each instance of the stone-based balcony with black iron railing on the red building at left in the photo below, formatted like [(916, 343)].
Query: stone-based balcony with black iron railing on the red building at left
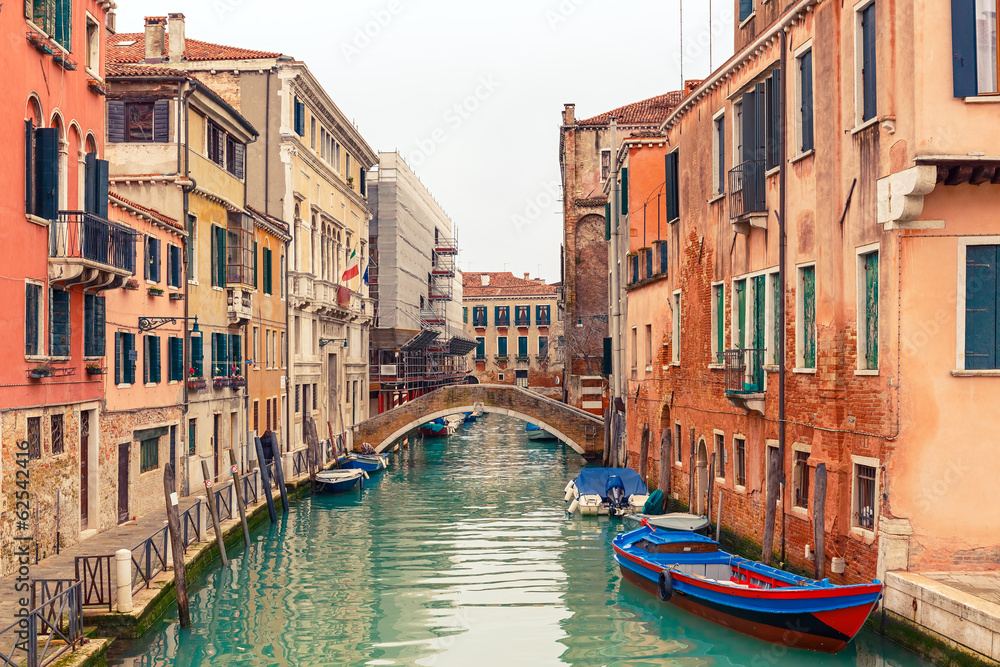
[(87, 250)]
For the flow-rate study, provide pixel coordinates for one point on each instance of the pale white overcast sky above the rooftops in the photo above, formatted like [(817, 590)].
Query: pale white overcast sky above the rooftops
[(471, 93)]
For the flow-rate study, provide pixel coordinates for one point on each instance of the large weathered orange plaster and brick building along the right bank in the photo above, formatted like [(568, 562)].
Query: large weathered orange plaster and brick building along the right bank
[(887, 290)]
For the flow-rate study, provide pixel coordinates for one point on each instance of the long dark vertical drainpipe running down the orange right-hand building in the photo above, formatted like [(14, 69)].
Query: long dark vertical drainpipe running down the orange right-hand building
[(782, 277)]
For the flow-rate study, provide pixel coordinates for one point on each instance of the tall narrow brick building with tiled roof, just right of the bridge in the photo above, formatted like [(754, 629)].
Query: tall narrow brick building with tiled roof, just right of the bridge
[(585, 159)]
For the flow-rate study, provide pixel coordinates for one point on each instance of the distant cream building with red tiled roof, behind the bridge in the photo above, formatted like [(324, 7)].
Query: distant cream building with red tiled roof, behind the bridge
[(516, 325)]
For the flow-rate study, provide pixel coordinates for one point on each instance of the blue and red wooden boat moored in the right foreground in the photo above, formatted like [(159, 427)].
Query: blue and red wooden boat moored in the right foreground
[(690, 571)]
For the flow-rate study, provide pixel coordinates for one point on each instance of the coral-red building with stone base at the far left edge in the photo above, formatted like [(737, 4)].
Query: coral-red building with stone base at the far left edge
[(60, 253)]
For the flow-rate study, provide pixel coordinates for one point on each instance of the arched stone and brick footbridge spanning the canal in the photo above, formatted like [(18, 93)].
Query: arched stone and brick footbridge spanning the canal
[(580, 430)]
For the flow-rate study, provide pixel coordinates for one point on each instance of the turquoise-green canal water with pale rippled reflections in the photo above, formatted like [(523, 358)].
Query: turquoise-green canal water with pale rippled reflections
[(460, 554)]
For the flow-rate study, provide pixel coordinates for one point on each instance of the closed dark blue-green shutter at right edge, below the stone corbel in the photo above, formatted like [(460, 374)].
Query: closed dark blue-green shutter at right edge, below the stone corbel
[(981, 296)]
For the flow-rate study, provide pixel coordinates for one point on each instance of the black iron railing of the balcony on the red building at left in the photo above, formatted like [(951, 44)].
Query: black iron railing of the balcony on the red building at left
[(81, 235)]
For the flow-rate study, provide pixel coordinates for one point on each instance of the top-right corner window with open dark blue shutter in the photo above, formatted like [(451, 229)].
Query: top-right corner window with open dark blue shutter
[(974, 44)]
